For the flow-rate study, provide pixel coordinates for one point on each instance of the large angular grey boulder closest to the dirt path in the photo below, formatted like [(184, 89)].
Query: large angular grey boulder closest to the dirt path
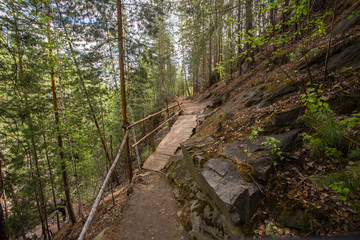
[(231, 189)]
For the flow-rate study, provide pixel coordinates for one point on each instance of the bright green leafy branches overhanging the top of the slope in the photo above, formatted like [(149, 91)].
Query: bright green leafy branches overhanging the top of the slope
[(274, 34)]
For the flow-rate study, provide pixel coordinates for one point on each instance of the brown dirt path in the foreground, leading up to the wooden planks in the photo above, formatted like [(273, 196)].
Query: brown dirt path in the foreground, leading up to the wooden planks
[(150, 213)]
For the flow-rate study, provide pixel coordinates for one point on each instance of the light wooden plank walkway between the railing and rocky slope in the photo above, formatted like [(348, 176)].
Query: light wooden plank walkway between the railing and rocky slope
[(180, 131)]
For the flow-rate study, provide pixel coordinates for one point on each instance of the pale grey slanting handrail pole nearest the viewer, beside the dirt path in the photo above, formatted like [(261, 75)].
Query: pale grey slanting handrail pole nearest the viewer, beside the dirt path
[(102, 189)]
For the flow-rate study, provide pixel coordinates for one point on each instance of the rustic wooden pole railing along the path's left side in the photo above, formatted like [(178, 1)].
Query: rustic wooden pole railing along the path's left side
[(151, 134)]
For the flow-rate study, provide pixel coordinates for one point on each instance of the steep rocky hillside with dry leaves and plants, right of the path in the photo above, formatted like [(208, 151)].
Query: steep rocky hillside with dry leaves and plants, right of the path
[(287, 133)]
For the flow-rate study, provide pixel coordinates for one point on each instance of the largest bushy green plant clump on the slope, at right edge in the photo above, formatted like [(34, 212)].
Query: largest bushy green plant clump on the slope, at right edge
[(327, 136)]
